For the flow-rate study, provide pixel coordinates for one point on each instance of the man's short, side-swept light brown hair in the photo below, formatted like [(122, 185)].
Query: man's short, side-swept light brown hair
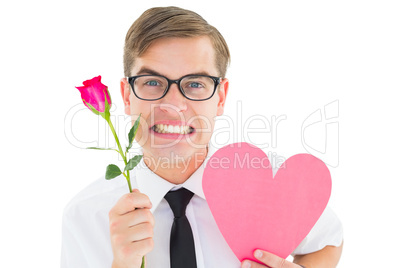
[(164, 22)]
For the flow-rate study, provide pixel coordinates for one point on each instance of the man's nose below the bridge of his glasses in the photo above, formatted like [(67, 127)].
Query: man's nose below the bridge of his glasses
[(173, 101)]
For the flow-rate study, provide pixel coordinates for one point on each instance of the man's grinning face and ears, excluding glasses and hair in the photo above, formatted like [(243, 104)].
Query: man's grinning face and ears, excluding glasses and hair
[(175, 58)]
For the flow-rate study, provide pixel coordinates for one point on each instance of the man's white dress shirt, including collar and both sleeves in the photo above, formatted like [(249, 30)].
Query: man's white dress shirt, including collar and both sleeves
[(85, 232)]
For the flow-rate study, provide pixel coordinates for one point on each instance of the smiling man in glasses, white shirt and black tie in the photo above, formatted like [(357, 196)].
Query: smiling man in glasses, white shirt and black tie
[(175, 65)]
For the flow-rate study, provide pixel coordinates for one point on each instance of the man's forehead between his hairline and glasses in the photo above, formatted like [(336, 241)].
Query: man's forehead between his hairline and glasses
[(175, 57)]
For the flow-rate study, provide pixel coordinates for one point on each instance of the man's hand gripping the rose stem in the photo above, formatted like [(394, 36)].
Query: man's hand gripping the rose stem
[(131, 229)]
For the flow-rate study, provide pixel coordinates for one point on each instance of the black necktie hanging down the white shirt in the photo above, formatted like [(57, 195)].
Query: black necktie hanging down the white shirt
[(182, 251)]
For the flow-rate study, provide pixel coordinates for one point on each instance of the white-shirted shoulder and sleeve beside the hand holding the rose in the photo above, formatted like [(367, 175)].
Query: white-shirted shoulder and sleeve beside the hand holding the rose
[(85, 224)]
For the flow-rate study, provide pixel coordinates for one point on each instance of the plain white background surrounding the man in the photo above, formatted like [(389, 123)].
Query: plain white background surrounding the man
[(288, 58)]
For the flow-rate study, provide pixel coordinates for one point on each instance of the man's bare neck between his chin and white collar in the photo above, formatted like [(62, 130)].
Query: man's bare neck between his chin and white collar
[(176, 169)]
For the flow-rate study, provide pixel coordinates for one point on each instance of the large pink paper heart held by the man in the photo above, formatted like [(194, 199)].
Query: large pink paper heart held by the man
[(253, 209)]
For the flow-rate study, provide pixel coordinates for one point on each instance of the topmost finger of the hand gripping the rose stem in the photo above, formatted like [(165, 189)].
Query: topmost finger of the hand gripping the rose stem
[(129, 202)]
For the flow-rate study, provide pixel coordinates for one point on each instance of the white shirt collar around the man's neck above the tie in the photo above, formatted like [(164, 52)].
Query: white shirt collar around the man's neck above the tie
[(155, 187)]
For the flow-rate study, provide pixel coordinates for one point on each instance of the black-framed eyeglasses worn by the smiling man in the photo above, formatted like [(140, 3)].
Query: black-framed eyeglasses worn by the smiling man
[(193, 87)]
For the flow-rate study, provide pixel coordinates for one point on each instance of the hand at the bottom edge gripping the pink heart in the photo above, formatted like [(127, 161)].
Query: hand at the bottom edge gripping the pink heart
[(271, 260)]
